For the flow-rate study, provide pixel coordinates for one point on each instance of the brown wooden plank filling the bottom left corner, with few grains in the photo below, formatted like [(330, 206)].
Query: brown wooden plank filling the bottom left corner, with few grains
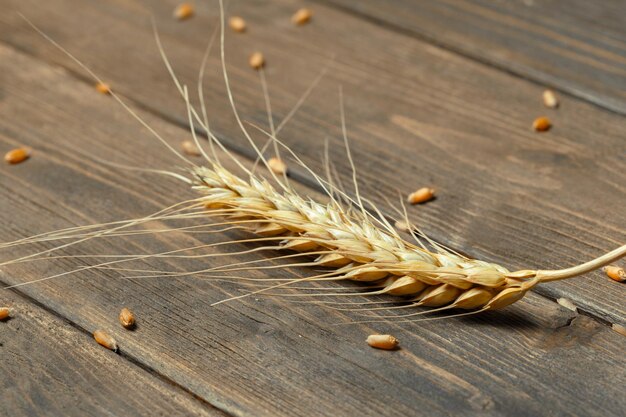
[(50, 368)]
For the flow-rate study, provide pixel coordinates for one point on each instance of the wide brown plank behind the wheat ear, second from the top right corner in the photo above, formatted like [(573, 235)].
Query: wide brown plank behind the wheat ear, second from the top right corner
[(417, 115)]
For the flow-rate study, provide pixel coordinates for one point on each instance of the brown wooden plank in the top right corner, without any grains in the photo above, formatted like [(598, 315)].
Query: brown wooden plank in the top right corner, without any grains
[(577, 47)]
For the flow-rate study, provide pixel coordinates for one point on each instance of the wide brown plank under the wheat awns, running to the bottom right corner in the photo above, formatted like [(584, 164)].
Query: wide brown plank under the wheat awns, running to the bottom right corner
[(262, 356)]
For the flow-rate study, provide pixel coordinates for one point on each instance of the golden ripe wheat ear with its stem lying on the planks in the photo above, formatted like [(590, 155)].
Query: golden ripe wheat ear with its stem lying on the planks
[(357, 249)]
